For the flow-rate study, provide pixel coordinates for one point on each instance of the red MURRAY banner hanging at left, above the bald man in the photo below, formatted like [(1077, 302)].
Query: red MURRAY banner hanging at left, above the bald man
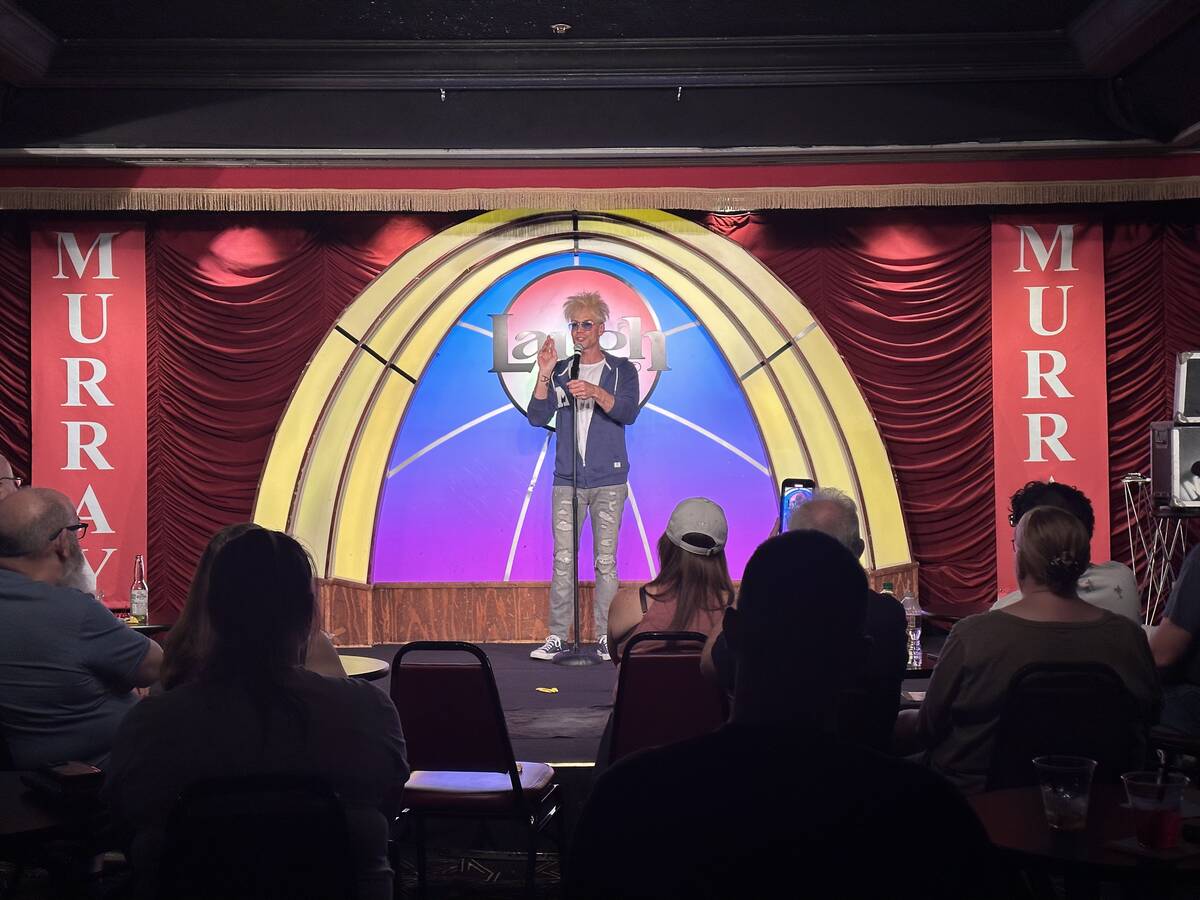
[(88, 346)]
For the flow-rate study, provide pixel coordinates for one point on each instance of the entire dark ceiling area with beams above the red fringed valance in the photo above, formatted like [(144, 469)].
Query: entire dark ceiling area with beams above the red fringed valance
[(709, 79)]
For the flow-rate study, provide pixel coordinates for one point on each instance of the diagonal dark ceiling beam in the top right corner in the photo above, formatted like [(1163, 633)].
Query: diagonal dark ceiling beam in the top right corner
[(1112, 35)]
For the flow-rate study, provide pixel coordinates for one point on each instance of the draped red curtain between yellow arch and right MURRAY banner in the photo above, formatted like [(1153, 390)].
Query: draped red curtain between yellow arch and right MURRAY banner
[(905, 297)]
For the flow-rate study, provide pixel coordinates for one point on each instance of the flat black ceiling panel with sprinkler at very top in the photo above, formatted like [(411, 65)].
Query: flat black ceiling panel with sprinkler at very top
[(526, 20)]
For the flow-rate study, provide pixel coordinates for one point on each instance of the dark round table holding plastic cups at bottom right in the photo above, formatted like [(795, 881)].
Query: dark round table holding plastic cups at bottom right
[(1017, 826)]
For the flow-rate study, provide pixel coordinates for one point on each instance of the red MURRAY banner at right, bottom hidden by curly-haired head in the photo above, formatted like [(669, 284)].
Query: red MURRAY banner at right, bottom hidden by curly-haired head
[(1048, 367)]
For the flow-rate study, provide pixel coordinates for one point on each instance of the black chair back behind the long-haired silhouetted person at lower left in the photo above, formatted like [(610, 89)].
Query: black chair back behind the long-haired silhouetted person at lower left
[(262, 837)]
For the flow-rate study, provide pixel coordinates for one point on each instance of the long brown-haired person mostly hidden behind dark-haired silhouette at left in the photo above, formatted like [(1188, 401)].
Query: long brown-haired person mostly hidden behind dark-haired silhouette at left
[(191, 638)]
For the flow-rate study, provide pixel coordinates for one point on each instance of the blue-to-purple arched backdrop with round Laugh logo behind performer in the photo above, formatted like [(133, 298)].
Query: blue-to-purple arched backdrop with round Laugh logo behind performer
[(467, 471)]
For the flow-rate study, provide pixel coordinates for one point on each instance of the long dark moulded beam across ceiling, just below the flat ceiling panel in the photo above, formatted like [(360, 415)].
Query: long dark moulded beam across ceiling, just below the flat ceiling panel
[(482, 65)]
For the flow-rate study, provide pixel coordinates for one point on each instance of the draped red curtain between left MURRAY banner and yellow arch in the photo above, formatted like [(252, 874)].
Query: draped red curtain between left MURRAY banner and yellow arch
[(238, 305)]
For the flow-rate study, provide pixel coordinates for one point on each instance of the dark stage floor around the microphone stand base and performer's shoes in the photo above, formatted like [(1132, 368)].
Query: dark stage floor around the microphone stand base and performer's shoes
[(555, 728)]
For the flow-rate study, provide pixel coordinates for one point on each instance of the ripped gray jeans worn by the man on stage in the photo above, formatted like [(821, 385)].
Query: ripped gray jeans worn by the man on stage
[(605, 506)]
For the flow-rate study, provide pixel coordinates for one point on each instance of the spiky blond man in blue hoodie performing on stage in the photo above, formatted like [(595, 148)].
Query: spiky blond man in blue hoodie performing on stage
[(608, 393)]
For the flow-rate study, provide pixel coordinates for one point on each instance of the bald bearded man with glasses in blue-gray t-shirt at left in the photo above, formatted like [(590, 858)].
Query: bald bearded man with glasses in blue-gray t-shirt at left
[(68, 667)]
